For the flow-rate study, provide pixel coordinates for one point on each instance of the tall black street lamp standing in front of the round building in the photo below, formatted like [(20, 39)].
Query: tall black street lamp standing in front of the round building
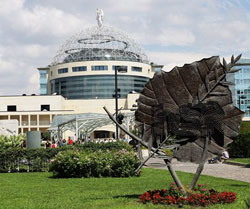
[(120, 69)]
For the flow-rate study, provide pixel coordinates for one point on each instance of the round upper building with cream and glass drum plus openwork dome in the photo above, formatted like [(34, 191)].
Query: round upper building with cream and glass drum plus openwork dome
[(84, 67)]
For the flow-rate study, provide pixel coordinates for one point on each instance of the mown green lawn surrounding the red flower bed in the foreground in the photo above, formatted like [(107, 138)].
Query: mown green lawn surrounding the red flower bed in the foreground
[(39, 191)]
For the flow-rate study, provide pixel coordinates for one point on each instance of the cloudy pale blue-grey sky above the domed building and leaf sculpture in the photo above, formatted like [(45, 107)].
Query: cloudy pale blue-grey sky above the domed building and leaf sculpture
[(172, 32)]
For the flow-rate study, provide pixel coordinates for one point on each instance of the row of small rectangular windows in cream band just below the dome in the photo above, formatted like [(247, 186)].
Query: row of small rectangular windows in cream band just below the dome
[(99, 68)]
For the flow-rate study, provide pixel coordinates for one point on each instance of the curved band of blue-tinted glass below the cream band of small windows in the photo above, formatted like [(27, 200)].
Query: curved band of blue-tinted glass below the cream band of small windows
[(97, 86)]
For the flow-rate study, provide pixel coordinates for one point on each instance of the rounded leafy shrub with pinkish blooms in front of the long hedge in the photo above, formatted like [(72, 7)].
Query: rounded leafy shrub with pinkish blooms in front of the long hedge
[(71, 163)]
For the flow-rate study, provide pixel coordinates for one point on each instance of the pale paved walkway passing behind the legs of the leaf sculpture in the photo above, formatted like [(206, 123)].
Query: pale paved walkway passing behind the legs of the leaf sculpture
[(241, 173)]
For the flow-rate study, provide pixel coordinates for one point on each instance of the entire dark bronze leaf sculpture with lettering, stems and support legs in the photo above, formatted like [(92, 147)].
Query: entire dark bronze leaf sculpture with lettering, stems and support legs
[(189, 110)]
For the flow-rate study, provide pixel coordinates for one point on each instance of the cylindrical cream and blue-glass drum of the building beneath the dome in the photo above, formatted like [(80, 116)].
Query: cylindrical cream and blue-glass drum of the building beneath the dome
[(96, 79)]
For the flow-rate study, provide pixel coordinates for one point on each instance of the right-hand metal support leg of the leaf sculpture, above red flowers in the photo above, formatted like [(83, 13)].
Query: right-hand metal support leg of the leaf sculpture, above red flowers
[(201, 165)]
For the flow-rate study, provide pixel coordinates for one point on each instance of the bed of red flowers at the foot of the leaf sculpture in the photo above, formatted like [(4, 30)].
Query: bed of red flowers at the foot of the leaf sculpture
[(200, 196)]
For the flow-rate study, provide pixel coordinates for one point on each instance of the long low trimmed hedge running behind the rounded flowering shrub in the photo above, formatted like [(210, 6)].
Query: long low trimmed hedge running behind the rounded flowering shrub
[(32, 160)]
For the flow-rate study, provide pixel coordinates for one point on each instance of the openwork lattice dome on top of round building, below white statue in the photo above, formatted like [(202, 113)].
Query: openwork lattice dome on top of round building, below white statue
[(100, 43)]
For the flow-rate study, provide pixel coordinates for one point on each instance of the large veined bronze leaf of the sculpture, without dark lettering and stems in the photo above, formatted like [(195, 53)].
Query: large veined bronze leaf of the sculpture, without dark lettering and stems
[(190, 84)]
